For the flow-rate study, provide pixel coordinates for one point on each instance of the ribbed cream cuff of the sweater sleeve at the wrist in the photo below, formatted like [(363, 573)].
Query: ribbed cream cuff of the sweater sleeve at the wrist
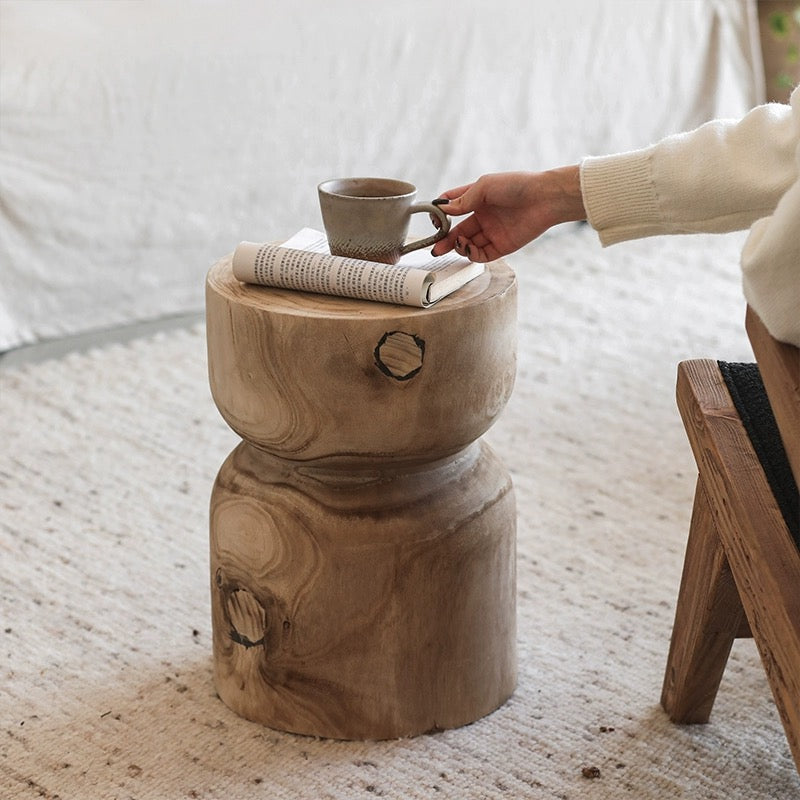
[(619, 196)]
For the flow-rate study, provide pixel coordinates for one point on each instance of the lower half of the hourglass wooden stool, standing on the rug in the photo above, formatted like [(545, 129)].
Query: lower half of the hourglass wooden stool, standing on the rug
[(364, 609)]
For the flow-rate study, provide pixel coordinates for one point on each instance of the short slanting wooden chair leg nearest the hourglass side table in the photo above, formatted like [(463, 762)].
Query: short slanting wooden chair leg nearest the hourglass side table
[(708, 617)]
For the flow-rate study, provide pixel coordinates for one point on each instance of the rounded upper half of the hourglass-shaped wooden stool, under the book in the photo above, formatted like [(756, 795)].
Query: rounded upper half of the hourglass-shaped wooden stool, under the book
[(313, 377)]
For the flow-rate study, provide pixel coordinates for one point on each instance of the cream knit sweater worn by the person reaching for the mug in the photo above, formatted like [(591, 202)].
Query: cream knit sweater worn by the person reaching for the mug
[(726, 175)]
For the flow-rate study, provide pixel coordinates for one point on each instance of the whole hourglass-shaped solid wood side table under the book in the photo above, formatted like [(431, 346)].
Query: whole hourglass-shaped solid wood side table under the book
[(362, 536)]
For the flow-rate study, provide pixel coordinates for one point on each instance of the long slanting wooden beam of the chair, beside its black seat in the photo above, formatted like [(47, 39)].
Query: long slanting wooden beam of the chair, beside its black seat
[(763, 558)]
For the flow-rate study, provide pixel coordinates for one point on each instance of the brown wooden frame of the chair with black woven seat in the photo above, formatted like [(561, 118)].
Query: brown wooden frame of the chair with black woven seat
[(741, 574)]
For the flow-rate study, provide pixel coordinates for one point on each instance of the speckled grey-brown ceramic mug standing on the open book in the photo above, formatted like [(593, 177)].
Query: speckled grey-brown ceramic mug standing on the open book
[(368, 218)]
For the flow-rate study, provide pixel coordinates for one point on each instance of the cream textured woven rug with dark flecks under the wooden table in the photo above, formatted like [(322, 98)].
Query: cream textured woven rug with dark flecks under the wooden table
[(106, 465)]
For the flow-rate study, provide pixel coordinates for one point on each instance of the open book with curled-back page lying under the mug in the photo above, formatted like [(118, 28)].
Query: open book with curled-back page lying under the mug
[(304, 263)]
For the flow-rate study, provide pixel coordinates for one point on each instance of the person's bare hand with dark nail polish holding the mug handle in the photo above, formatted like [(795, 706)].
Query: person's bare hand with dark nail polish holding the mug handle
[(508, 210)]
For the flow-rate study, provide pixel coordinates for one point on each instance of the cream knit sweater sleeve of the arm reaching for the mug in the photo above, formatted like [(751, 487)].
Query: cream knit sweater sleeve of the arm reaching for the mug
[(722, 176)]
